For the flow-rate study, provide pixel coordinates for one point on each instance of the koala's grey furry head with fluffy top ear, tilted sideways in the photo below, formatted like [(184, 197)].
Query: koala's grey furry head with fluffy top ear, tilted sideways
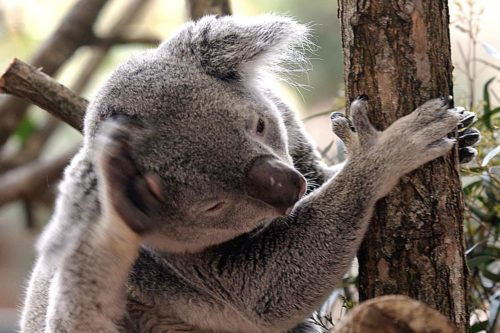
[(217, 143)]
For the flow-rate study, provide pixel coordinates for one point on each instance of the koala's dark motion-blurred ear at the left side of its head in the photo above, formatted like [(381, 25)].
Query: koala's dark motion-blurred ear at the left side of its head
[(135, 197)]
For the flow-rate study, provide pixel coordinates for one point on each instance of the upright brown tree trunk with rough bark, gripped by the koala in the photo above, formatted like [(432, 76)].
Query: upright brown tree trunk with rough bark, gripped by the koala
[(398, 53)]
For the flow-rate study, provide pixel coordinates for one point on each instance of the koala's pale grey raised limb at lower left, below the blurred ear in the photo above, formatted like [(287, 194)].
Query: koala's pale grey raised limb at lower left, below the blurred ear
[(100, 306)]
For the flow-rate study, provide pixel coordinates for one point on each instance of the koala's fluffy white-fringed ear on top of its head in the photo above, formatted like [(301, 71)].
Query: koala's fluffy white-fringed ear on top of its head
[(230, 47)]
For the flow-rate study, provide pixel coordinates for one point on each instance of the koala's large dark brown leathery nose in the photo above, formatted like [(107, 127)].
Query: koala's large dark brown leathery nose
[(275, 183)]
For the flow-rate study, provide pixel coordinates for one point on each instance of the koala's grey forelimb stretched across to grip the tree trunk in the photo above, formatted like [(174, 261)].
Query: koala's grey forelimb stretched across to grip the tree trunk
[(334, 219)]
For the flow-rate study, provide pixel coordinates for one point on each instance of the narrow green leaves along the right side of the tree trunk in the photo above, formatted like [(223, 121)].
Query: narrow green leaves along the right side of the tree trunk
[(482, 222)]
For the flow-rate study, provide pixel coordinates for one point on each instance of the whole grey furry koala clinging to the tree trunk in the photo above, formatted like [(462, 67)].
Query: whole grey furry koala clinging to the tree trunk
[(197, 203)]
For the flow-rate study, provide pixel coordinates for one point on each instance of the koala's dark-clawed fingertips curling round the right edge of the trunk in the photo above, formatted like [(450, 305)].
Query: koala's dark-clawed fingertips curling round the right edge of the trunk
[(467, 136)]
